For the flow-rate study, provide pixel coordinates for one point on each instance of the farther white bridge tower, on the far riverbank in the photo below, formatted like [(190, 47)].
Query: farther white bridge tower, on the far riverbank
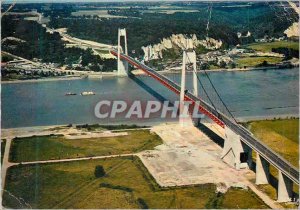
[(122, 65)]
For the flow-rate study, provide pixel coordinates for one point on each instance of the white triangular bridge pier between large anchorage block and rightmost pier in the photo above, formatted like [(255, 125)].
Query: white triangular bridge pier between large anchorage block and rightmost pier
[(262, 170)]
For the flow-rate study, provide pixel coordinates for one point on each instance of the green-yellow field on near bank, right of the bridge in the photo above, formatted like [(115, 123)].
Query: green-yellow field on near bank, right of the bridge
[(281, 135)]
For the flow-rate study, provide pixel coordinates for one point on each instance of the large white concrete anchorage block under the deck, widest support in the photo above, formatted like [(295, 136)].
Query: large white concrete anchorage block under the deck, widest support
[(235, 152)]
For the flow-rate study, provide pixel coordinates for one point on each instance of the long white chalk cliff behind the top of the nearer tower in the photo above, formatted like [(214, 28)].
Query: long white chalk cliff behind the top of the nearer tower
[(178, 41)]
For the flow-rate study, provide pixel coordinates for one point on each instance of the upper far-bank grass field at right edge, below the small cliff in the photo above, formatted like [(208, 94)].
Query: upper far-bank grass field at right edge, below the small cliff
[(267, 47)]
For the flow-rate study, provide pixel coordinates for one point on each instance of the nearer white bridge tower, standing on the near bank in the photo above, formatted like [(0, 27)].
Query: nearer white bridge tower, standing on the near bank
[(189, 57)]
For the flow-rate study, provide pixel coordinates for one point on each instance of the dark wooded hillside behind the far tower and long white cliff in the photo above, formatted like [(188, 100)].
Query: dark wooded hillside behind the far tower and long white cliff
[(145, 28)]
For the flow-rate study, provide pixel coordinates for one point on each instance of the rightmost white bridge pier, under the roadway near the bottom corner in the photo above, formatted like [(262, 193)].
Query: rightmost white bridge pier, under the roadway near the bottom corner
[(285, 188)]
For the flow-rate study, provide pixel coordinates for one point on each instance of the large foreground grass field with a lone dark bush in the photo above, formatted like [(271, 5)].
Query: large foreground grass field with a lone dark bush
[(127, 184)]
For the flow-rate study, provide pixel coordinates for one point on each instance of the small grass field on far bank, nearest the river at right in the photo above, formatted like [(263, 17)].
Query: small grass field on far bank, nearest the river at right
[(254, 61)]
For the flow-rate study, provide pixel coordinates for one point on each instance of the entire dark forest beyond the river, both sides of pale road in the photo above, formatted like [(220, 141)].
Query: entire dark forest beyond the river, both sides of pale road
[(221, 21)]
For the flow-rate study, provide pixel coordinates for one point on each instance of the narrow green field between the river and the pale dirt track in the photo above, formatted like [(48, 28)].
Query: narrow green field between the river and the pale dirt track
[(57, 147)]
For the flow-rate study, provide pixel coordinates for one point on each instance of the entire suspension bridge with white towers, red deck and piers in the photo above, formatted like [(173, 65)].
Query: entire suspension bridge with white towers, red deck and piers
[(238, 142)]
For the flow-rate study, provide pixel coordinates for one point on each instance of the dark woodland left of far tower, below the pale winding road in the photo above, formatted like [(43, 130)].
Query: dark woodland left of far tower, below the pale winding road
[(35, 42)]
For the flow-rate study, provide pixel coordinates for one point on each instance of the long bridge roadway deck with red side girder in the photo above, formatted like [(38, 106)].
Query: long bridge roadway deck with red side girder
[(246, 136)]
